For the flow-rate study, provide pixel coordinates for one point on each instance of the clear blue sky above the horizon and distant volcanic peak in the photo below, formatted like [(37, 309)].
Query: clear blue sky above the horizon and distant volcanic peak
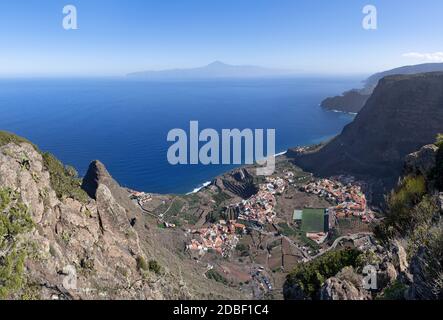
[(116, 37)]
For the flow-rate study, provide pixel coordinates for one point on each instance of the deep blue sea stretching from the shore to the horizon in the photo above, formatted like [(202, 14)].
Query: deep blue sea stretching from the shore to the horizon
[(124, 123)]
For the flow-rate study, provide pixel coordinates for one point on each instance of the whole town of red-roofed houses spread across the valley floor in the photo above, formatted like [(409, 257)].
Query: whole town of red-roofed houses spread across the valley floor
[(345, 196)]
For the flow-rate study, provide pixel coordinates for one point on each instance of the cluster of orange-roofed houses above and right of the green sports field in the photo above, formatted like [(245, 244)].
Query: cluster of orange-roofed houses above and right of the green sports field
[(350, 199)]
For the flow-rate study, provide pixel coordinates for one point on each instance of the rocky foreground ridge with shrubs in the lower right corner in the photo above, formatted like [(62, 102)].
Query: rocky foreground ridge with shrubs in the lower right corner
[(405, 254)]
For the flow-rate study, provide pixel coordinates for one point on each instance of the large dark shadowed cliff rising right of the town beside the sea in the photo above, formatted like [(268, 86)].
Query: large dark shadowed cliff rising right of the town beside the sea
[(403, 114)]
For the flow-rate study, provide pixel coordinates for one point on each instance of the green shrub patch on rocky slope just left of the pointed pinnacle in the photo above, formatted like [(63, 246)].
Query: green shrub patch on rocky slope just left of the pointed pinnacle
[(64, 179)]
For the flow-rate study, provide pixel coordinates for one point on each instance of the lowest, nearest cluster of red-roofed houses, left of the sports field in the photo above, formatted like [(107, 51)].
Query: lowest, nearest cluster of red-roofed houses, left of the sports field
[(221, 237)]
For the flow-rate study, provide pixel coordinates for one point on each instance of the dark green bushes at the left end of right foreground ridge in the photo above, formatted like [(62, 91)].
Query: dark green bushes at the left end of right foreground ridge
[(309, 277)]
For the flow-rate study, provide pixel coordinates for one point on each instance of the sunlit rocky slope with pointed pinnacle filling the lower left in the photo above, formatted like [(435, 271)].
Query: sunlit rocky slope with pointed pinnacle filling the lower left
[(103, 247)]
